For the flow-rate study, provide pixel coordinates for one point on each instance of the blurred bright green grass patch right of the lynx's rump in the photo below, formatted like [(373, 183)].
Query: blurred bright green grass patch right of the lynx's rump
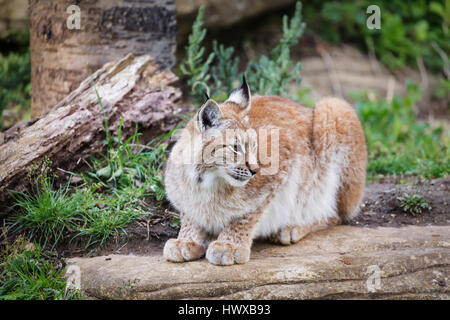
[(397, 142)]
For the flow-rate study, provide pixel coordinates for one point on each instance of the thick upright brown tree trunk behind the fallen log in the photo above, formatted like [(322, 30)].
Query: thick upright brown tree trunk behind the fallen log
[(63, 55)]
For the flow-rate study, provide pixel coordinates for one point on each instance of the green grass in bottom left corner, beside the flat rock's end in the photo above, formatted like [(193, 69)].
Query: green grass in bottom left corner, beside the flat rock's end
[(28, 273)]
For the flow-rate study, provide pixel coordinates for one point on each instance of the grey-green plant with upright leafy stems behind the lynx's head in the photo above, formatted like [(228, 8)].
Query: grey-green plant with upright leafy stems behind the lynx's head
[(270, 74)]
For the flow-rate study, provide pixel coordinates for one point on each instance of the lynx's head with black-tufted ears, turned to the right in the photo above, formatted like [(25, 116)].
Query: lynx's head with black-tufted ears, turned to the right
[(228, 144)]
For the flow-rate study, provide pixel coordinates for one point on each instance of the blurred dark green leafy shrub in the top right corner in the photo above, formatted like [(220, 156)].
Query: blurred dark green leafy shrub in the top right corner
[(410, 30)]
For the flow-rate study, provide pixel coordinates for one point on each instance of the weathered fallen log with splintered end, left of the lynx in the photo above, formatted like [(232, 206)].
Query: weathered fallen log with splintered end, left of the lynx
[(133, 88)]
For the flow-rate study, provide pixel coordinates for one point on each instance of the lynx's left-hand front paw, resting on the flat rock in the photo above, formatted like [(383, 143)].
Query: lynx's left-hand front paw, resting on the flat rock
[(177, 250)]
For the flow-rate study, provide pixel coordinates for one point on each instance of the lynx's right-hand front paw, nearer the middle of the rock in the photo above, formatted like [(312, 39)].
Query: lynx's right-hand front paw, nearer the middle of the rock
[(226, 253)]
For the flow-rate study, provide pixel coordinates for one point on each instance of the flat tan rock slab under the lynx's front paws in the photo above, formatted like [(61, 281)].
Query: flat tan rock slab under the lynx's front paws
[(342, 262)]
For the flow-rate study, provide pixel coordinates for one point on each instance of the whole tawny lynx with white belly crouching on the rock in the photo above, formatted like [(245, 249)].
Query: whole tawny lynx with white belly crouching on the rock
[(262, 167)]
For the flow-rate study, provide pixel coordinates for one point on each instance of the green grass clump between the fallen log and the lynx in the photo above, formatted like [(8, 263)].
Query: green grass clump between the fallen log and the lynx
[(113, 194)]
